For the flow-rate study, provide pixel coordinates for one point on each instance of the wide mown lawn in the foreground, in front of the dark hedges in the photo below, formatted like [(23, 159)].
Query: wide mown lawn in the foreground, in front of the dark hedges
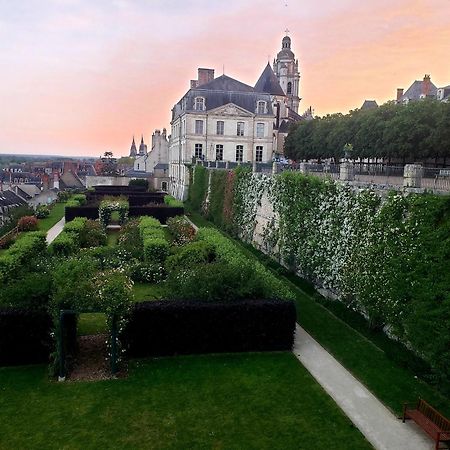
[(239, 401)]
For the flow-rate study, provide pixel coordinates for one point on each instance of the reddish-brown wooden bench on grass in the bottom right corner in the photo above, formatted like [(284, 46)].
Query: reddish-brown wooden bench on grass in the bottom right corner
[(430, 420)]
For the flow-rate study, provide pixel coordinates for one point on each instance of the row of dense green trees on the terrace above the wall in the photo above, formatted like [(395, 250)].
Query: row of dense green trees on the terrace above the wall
[(415, 132)]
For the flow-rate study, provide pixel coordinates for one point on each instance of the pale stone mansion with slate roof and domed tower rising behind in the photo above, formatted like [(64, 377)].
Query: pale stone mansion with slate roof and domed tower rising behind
[(223, 119)]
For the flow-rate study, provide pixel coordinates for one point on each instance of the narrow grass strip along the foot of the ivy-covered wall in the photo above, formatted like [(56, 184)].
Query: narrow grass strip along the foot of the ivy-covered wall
[(362, 353)]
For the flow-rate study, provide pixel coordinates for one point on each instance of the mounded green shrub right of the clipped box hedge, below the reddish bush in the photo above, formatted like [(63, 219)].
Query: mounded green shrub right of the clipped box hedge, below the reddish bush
[(190, 255)]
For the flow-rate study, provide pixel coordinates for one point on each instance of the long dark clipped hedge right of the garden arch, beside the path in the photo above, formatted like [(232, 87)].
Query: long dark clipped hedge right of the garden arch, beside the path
[(167, 327)]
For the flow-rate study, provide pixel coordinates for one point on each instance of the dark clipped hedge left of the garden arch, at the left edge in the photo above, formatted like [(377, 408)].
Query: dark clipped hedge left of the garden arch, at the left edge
[(24, 336)]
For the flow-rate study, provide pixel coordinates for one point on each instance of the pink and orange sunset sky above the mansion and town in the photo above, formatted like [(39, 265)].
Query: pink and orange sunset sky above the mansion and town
[(81, 77)]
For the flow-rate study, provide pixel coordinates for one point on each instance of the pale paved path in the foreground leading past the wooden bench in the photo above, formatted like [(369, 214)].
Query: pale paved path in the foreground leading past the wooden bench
[(380, 427)]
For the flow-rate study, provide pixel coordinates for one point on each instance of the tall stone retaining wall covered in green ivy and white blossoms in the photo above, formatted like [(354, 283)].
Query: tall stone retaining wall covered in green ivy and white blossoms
[(385, 255)]
